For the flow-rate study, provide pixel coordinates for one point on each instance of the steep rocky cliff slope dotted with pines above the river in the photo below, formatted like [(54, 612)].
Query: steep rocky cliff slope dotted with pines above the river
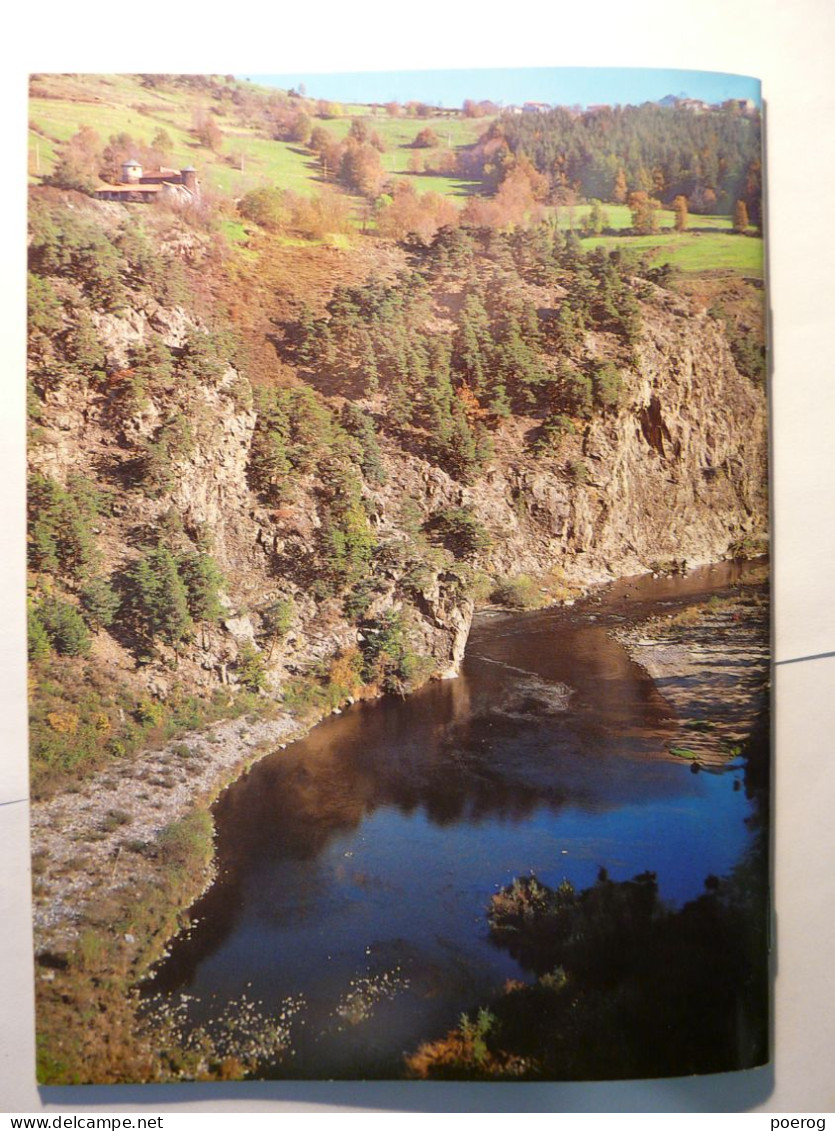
[(136, 400)]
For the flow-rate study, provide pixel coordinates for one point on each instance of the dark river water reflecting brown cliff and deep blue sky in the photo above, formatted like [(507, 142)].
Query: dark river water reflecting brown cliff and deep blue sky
[(357, 865)]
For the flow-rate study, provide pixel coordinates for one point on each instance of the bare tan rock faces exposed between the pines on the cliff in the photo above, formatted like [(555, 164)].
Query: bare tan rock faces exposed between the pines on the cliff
[(675, 474)]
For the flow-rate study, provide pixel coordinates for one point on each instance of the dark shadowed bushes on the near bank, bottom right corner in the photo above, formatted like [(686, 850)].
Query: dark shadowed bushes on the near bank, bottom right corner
[(623, 987)]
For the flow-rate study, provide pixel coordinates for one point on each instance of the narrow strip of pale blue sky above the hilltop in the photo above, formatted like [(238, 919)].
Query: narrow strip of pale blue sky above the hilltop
[(559, 85)]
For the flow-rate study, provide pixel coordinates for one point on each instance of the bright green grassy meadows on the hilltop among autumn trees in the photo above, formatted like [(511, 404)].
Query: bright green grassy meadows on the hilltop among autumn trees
[(246, 159)]
